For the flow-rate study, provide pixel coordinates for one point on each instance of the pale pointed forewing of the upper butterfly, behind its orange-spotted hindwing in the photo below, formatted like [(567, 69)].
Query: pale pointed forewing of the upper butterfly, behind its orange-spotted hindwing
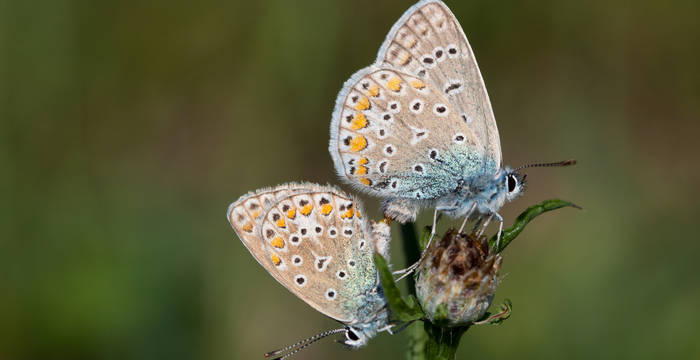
[(429, 40)]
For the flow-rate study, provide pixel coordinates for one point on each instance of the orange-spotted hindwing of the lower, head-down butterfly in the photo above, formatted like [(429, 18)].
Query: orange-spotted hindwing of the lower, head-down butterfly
[(318, 246)]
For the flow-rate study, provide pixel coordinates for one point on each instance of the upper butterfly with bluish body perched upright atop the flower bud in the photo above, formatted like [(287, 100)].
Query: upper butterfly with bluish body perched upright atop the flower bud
[(417, 128)]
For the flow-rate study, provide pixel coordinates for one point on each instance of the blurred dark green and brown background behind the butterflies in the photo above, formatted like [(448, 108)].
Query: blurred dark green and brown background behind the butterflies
[(127, 127)]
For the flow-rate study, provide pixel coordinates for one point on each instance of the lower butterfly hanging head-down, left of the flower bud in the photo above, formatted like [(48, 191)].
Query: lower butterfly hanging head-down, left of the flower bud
[(315, 241)]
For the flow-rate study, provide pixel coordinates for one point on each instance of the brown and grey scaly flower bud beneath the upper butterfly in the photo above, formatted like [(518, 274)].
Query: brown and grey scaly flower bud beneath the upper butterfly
[(458, 279)]
